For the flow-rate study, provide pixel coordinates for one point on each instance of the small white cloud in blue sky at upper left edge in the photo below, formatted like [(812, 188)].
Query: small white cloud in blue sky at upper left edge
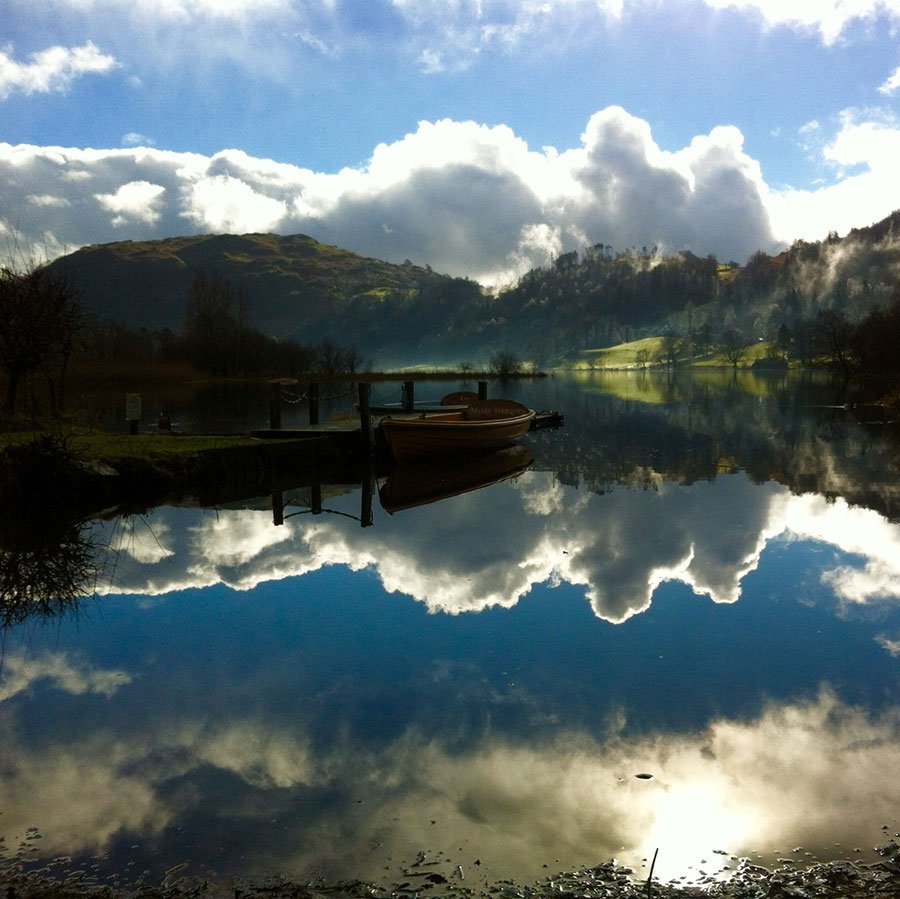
[(53, 69)]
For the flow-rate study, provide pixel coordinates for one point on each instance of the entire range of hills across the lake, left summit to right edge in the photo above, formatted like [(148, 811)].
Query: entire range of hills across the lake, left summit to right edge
[(294, 288)]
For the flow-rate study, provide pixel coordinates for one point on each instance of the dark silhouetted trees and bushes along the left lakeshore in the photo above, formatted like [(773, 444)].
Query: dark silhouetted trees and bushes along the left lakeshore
[(45, 331)]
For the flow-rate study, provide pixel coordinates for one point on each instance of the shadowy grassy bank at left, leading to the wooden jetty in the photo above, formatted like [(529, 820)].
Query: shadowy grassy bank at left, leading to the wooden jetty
[(77, 473)]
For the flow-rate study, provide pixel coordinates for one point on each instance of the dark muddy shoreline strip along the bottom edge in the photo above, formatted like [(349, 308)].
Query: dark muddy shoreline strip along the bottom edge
[(839, 879)]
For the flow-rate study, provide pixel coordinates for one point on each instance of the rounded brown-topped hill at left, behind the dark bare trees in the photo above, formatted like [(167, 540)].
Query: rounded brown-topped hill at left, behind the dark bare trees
[(292, 286)]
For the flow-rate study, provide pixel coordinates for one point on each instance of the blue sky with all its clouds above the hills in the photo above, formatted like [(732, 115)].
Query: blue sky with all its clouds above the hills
[(480, 137)]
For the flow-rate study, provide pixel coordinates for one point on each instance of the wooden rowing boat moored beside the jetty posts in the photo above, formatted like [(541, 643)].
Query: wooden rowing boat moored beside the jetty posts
[(483, 426)]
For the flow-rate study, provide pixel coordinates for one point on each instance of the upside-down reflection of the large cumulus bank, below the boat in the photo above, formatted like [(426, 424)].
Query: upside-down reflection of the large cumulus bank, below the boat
[(599, 545)]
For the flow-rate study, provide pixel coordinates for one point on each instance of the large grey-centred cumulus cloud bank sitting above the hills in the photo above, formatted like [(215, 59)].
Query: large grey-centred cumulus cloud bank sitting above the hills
[(468, 199)]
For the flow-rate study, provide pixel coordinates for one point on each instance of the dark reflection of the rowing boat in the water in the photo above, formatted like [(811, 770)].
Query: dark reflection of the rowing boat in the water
[(428, 480)]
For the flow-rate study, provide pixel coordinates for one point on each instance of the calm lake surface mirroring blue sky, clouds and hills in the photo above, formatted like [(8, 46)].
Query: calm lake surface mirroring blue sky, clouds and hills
[(698, 581)]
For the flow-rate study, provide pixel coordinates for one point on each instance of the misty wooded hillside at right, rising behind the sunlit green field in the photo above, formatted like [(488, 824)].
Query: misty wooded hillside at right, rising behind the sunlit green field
[(604, 297)]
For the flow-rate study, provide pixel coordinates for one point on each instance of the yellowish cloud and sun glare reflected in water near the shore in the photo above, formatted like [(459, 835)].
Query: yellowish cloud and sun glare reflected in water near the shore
[(808, 774)]
